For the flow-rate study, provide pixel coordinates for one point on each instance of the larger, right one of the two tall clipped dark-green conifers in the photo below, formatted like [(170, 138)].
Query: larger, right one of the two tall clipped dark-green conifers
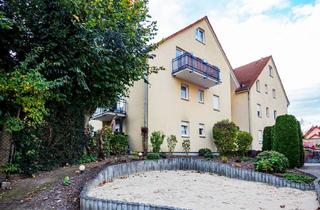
[(286, 139)]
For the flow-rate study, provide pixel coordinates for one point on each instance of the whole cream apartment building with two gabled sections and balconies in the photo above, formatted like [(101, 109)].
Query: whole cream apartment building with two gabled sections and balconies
[(197, 89)]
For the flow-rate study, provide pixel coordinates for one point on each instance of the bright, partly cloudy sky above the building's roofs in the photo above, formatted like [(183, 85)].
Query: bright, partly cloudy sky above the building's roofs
[(251, 29)]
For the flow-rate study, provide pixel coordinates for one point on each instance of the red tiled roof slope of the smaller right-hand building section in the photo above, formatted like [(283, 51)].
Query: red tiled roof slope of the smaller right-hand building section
[(247, 74)]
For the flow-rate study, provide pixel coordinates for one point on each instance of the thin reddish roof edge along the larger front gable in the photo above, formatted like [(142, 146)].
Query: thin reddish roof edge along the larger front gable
[(205, 18)]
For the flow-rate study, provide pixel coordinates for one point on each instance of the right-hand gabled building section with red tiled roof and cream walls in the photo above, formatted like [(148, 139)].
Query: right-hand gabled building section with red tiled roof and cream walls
[(260, 98)]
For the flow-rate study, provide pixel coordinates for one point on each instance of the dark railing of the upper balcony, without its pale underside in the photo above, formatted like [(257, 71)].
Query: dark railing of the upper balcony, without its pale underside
[(187, 60)]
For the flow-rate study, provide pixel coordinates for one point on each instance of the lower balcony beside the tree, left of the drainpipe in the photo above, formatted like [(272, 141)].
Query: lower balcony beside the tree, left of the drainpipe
[(107, 114)]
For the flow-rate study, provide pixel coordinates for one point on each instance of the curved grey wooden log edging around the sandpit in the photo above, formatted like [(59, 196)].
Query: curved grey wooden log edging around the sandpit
[(125, 169)]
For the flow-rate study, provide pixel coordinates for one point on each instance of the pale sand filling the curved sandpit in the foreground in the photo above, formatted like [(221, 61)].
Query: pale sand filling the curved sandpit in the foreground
[(192, 190)]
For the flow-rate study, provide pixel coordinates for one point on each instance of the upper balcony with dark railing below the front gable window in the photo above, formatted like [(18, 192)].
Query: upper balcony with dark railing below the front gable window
[(195, 70)]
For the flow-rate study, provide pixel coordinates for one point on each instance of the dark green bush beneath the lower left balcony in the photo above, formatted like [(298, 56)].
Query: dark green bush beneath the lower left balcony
[(118, 144)]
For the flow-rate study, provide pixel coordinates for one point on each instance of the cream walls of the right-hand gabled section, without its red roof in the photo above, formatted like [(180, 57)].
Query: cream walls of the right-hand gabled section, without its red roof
[(245, 104)]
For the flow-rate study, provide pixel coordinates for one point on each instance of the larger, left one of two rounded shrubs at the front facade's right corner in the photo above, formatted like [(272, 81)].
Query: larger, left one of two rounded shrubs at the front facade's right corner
[(225, 134)]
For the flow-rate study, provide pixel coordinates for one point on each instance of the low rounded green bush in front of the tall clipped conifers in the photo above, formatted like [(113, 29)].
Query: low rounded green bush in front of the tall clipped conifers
[(271, 162)]
